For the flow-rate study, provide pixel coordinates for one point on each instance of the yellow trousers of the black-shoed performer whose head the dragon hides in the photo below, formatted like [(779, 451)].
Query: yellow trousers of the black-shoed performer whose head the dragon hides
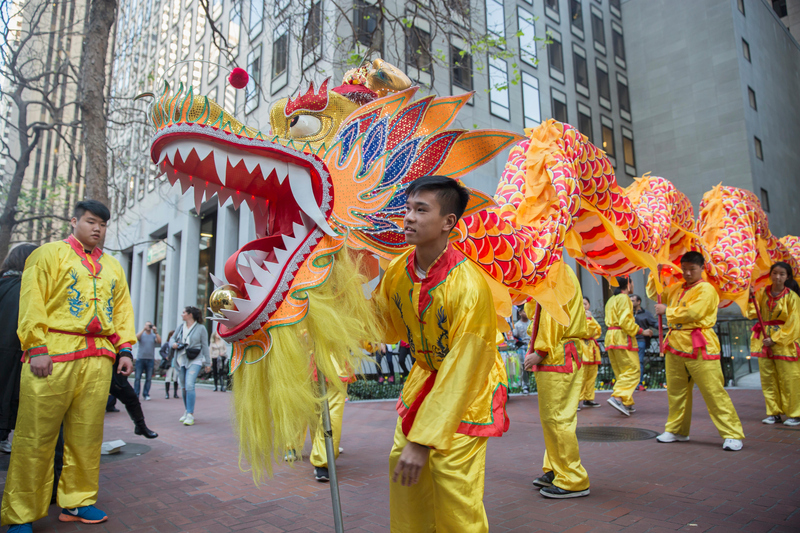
[(559, 393)]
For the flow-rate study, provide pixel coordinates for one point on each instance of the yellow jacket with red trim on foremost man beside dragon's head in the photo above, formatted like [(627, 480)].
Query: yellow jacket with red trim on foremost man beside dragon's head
[(449, 321)]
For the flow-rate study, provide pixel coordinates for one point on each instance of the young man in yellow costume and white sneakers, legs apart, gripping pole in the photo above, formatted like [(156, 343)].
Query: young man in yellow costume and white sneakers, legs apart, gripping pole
[(693, 354)]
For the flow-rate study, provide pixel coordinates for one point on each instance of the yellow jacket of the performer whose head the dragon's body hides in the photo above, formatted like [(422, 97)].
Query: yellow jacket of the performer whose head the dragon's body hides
[(560, 346)]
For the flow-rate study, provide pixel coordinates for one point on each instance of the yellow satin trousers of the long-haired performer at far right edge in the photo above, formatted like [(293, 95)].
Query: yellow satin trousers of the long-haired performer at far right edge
[(780, 383)]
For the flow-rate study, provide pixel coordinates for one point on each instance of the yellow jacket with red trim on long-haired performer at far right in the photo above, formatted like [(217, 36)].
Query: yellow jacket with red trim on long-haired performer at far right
[(781, 315)]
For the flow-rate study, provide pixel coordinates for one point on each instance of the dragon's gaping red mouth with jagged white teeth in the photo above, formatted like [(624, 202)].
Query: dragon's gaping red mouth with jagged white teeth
[(288, 191)]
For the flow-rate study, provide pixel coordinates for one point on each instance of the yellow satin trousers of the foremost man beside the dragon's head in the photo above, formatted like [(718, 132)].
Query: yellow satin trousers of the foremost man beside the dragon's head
[(448, 498)]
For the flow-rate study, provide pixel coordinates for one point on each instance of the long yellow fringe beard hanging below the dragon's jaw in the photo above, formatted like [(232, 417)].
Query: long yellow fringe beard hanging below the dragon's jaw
[(277, 398)]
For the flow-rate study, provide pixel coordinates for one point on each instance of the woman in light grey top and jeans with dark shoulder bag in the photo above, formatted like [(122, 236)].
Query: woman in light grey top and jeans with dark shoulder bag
[(190, 352)]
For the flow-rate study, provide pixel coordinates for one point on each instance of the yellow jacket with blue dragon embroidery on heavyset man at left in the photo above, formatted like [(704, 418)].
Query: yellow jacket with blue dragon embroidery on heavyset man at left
[(74, 305)]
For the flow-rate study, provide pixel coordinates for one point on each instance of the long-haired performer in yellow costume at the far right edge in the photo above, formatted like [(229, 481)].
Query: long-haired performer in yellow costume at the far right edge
[(778, 348)]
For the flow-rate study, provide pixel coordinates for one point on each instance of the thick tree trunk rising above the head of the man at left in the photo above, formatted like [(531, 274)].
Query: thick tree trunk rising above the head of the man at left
[(91, 91)]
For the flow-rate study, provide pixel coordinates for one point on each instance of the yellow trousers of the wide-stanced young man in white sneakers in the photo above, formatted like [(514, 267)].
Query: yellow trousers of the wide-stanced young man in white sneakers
[(682, 374)]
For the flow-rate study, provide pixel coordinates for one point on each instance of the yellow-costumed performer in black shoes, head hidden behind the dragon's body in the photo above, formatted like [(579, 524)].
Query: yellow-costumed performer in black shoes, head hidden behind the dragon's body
[(554, 356)]
